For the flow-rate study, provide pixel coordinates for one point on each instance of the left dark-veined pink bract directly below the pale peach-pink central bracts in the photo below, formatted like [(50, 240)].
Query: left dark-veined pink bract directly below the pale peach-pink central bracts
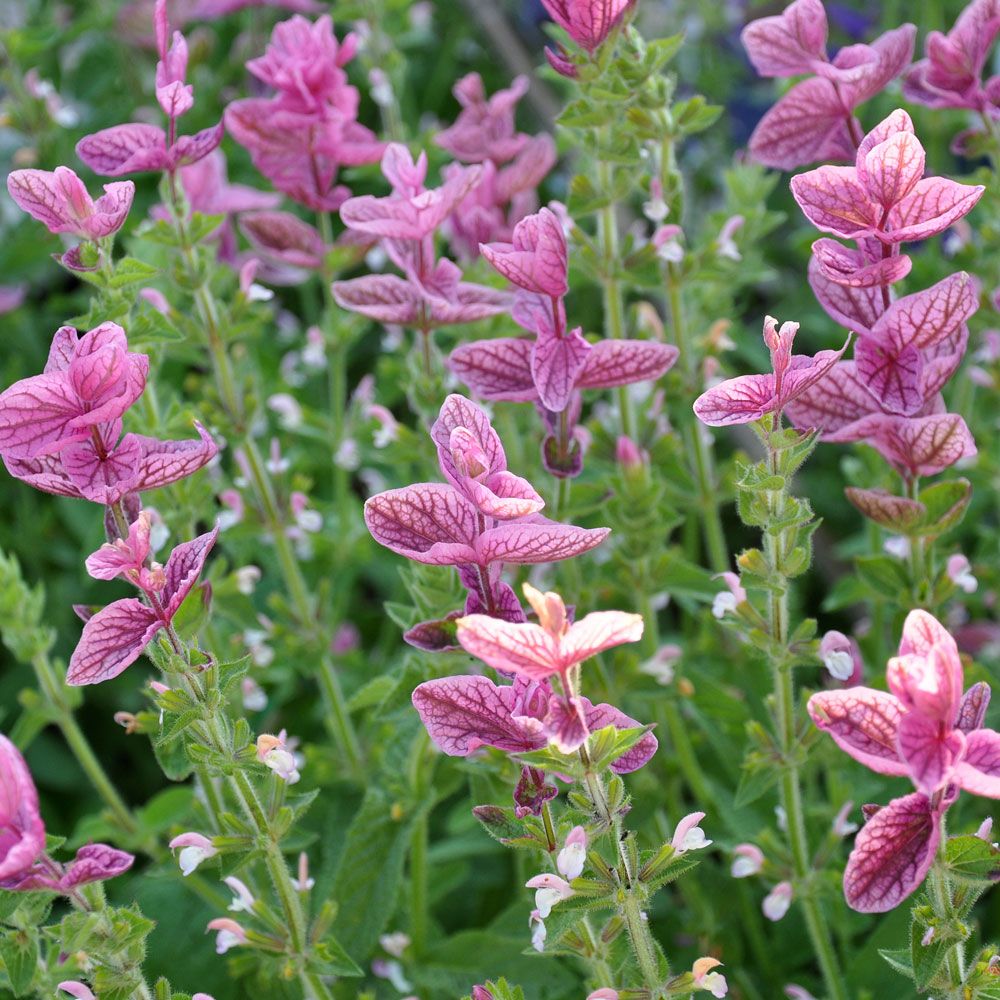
[(464, 713)]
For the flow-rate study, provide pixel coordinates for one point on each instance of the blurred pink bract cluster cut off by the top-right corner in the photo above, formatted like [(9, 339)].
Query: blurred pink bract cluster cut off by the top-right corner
[(952, 74)]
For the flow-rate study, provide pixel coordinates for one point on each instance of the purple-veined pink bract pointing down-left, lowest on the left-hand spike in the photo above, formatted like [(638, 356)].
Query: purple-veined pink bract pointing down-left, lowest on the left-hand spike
[(111, 640)]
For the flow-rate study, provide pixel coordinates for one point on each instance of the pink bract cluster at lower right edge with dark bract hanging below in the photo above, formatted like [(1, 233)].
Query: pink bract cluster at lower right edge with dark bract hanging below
[(924, 728)]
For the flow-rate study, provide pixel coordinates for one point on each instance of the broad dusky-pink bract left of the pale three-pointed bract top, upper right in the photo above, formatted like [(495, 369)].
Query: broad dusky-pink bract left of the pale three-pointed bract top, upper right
[(807, 125)]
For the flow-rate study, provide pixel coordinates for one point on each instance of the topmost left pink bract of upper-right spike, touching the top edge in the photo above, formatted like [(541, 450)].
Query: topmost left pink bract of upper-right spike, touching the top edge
[(790, 43)]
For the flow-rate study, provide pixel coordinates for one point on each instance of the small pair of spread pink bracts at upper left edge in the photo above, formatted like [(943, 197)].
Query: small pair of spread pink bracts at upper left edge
[(59, 201)]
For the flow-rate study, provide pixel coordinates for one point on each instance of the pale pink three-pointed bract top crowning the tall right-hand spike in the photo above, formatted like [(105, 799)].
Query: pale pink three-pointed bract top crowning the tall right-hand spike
[(885, 194)]
